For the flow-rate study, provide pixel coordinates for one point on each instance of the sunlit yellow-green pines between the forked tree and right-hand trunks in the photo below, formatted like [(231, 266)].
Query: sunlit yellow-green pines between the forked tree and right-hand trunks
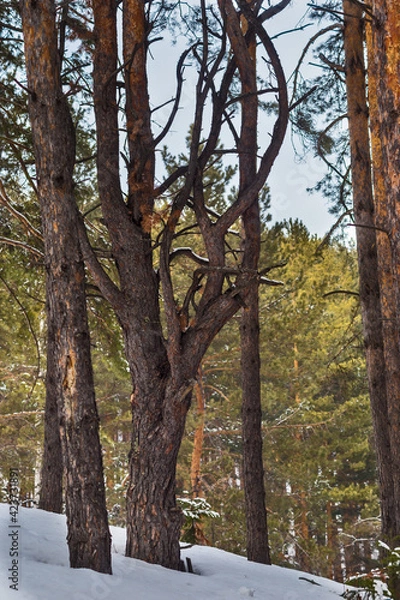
[(318, 457)]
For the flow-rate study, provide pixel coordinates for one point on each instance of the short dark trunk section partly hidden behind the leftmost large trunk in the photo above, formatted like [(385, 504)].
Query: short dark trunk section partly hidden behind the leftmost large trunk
[(51, 489)]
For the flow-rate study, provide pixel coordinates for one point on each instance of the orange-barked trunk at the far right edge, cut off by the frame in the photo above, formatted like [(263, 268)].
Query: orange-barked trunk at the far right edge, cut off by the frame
[(383, 72)]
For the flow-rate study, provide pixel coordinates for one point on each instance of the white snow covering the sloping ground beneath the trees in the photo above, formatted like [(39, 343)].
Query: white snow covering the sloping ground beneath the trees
[(39, 538)]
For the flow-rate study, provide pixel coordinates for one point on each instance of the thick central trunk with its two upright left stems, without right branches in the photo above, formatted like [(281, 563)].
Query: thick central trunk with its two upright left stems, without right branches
[(153, 518)]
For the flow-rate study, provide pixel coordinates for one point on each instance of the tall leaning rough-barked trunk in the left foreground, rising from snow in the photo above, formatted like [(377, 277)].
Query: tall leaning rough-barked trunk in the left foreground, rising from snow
[(54, 145)]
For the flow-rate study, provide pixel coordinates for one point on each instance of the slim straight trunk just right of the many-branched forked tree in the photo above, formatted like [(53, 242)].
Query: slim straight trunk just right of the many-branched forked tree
[(253, 468)]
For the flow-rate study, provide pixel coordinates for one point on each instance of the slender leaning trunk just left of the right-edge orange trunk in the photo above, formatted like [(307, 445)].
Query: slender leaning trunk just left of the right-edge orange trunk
[(370, 296)]
